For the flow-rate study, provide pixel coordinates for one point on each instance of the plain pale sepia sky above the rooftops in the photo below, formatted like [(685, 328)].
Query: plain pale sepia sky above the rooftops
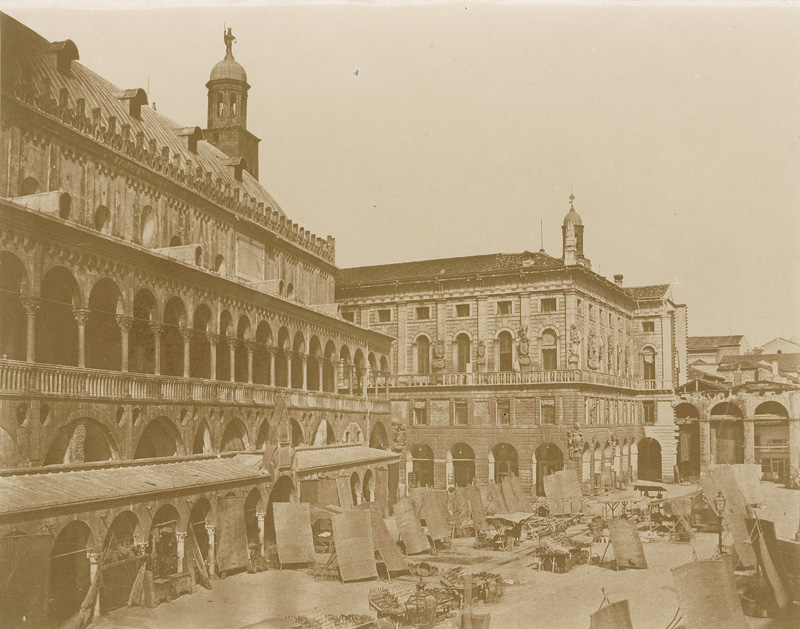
[(415, 131)]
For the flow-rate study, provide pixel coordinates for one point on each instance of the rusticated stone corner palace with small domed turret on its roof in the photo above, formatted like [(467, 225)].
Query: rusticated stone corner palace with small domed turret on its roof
[(525, 364)]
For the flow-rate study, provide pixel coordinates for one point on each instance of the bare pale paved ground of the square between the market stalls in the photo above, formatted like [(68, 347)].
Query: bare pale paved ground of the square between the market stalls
[(541, 599)]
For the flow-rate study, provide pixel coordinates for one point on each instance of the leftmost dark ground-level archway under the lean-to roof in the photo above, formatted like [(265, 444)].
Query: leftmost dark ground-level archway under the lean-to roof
[(69, 569)]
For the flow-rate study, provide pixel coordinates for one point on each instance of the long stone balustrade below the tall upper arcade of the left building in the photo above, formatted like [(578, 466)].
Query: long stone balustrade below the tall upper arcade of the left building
[(72, 382)]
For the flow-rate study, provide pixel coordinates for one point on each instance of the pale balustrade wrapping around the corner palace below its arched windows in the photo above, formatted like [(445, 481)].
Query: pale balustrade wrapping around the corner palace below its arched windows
[(524, 378)]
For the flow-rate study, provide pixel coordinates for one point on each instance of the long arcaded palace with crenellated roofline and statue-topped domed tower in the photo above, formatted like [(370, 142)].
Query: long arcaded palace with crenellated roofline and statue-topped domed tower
[(171, 357)]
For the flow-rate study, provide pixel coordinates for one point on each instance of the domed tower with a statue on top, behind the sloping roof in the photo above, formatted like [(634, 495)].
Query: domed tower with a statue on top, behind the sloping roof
[(227, 110)]
